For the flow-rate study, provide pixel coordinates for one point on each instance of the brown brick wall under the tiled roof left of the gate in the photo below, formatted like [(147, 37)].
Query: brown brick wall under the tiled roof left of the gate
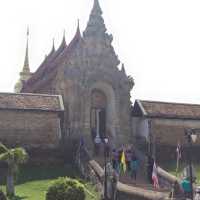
[(35, 129)]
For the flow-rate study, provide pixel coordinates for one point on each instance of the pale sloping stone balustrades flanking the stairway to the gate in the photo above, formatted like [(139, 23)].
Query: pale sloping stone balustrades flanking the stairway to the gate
[(92, 168)]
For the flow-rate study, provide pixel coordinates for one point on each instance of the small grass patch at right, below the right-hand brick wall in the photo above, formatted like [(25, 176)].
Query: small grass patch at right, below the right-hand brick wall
[(171, 168)]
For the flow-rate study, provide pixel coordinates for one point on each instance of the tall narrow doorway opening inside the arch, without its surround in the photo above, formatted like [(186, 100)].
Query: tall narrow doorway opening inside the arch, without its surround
[(98, 114)]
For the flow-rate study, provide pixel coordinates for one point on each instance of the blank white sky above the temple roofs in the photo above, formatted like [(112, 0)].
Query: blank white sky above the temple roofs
[(157, 40)]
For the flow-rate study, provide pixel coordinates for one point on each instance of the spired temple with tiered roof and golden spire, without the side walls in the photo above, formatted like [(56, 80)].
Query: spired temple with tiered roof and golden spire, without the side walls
[(85, 72)]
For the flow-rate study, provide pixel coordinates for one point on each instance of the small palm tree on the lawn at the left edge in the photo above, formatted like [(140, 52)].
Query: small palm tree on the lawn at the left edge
[(13, 157)]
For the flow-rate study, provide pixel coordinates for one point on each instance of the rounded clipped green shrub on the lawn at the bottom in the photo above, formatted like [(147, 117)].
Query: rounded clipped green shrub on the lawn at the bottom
[(66, 189)]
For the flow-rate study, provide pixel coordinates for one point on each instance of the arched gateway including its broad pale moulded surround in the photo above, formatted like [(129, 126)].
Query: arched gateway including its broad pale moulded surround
[(104, 91)]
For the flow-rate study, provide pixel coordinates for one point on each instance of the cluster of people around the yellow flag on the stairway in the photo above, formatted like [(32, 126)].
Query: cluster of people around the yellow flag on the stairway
[(125, 159)]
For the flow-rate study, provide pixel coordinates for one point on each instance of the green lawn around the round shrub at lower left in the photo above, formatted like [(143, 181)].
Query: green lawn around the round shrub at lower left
[(33, 182)]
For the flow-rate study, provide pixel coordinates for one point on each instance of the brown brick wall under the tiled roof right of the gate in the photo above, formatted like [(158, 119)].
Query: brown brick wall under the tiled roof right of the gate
[(166, 133)]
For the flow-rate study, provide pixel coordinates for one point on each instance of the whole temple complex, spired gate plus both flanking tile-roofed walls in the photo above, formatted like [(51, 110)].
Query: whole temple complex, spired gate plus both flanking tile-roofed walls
[(82, 90)]
